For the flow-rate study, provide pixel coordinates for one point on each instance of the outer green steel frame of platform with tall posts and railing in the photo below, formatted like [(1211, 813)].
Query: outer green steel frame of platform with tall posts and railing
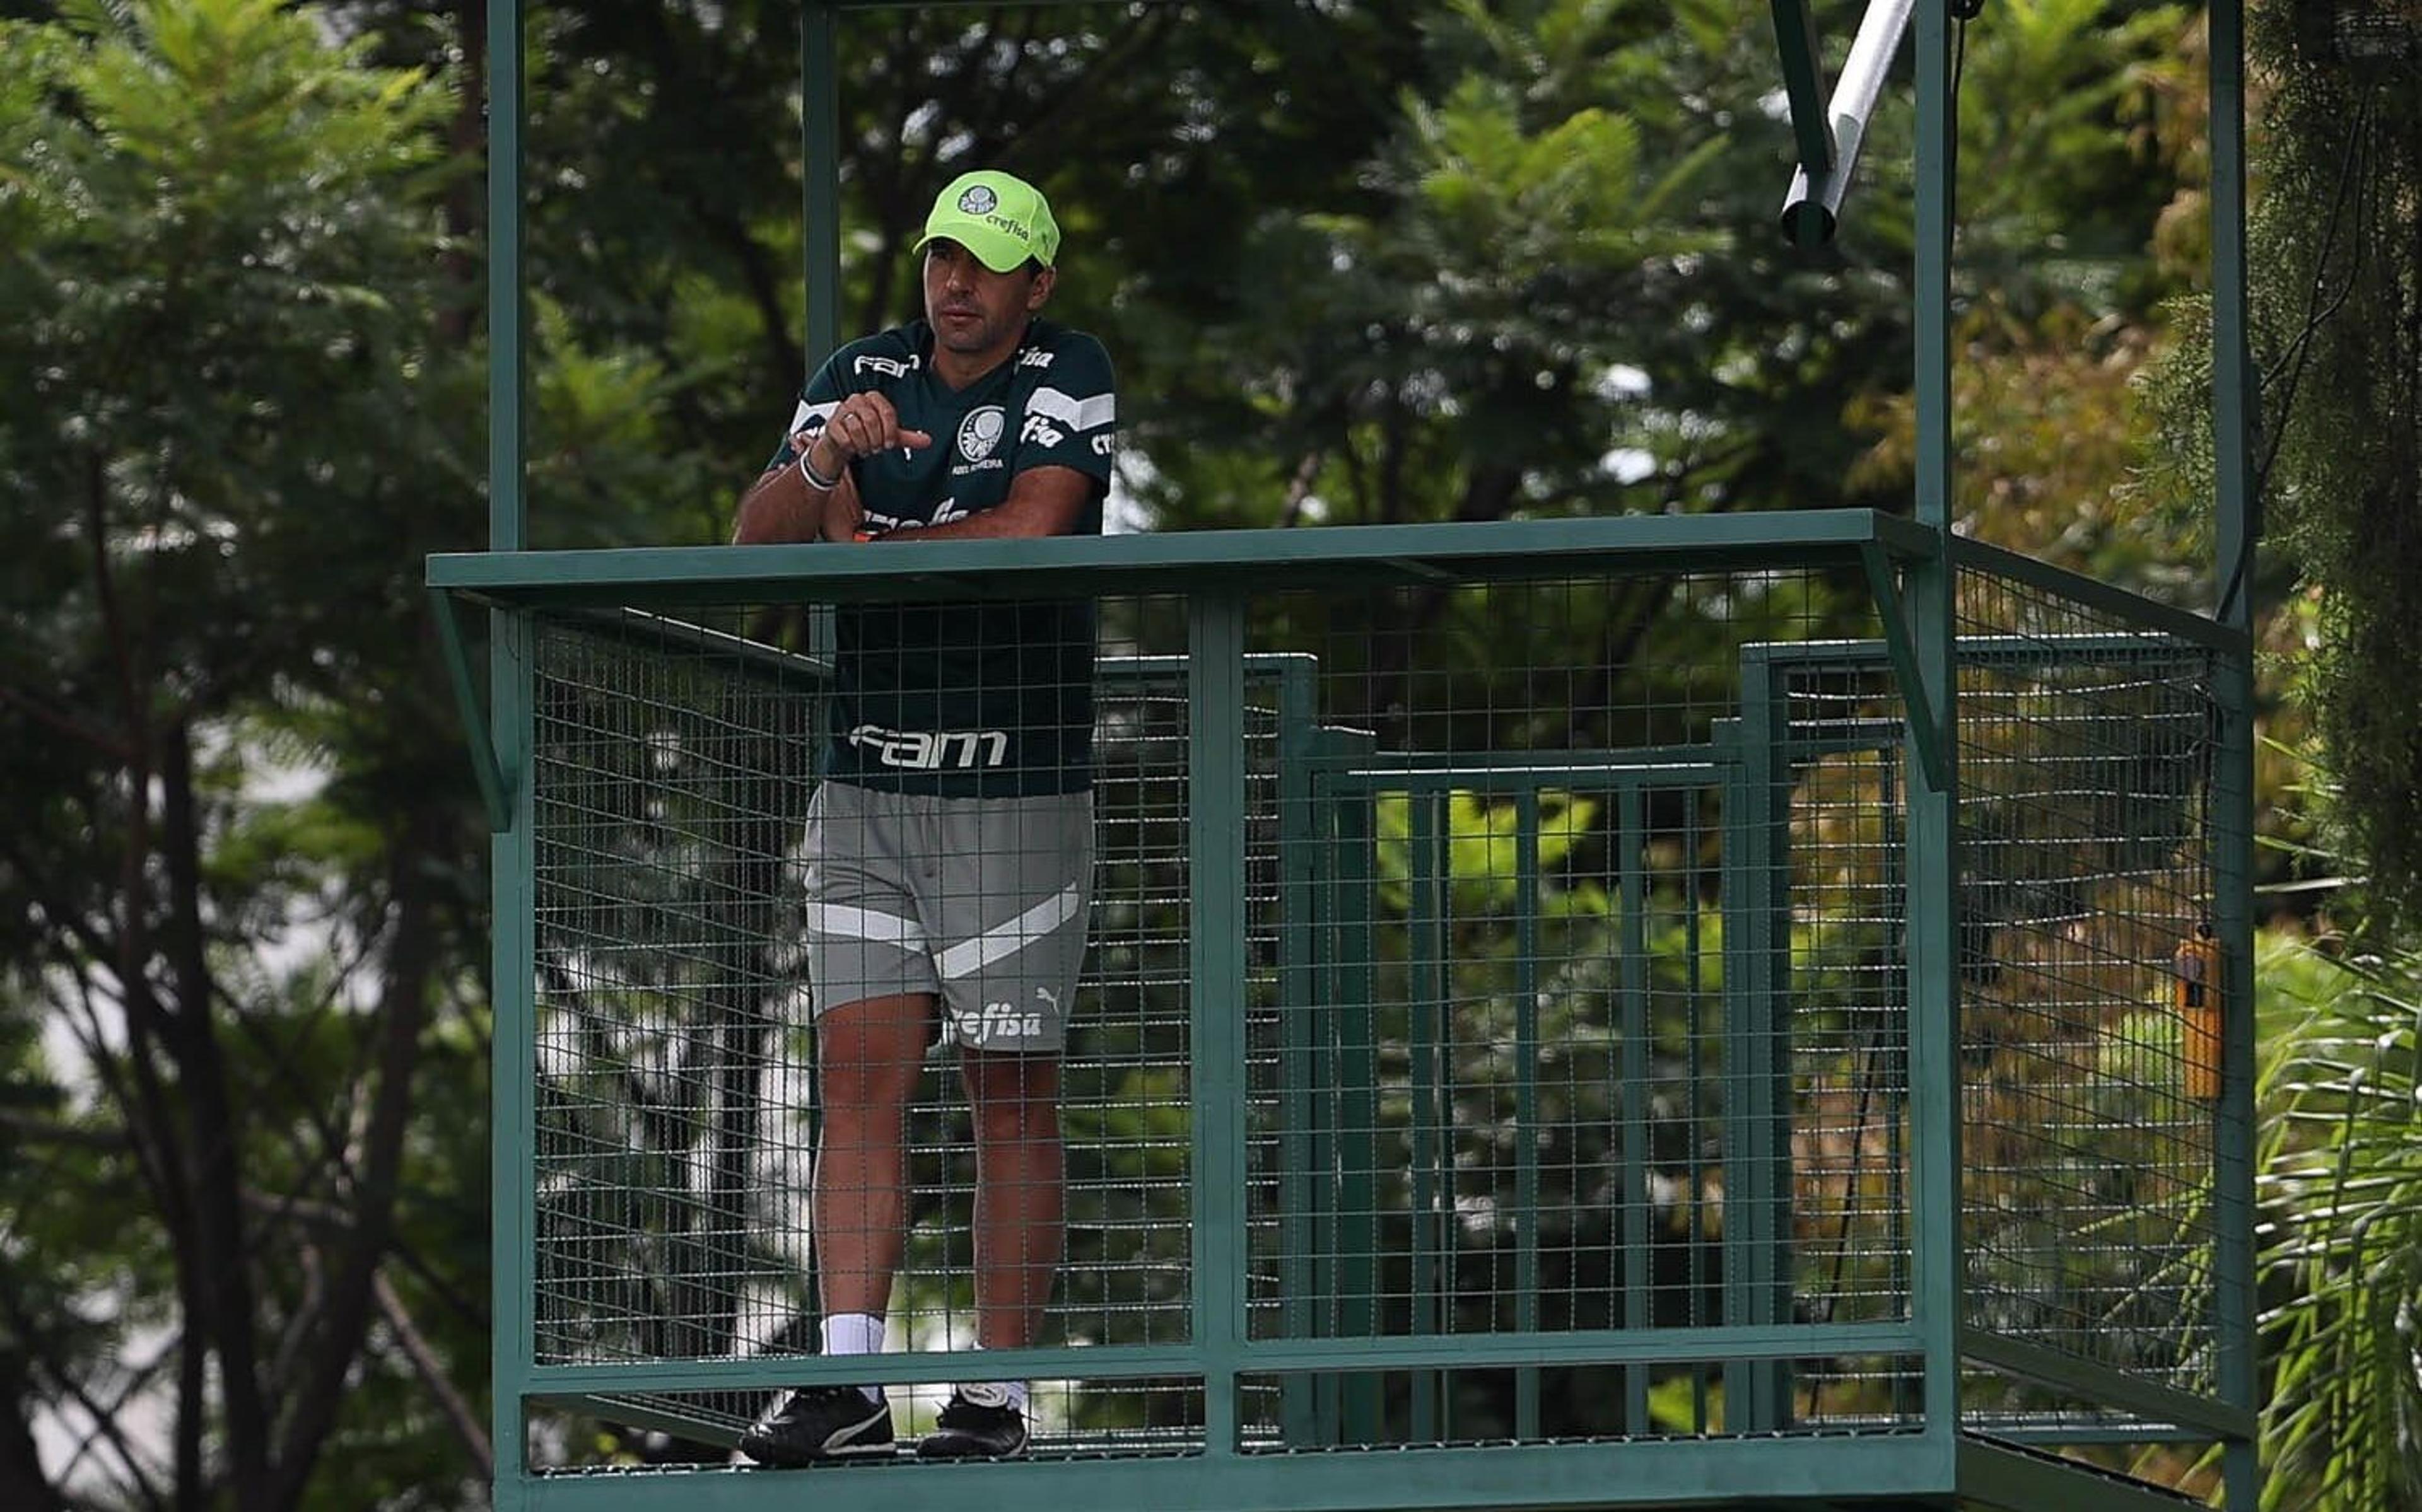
[(1585, 1474)]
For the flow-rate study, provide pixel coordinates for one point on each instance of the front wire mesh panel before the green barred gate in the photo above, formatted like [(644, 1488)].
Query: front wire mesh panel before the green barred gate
[(1522, 1079)]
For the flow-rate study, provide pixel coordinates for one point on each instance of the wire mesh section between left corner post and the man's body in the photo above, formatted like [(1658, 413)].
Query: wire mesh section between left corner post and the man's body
[(672, 1087)]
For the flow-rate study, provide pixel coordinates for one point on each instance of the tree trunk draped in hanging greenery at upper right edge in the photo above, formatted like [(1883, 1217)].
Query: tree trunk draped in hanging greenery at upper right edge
[(2338, 314)]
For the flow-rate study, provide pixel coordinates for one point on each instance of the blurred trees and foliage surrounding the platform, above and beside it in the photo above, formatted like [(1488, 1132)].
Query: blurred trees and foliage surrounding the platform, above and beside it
[(1360, 260)]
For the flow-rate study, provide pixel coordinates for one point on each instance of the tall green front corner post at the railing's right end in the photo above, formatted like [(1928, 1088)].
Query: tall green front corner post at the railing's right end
[(1934, 803)]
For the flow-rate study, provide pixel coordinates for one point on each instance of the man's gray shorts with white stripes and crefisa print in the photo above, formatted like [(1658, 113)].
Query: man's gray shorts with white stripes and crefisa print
[(975, 900)]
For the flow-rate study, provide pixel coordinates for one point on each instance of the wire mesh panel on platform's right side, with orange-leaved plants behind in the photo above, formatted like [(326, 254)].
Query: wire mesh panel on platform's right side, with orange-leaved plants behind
[(2084, 888)]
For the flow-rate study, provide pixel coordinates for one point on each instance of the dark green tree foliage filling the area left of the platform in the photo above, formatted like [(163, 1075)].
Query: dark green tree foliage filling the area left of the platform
[(236, 866)]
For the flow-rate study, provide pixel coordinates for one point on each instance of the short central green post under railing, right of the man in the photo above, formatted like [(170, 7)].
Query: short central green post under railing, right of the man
[(1217, 1004)]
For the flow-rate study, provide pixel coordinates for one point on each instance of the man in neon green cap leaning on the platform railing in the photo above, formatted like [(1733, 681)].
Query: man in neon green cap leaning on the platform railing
[(951, 844)]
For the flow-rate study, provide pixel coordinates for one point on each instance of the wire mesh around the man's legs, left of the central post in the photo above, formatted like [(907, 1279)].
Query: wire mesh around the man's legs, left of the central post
[(677, 1099)]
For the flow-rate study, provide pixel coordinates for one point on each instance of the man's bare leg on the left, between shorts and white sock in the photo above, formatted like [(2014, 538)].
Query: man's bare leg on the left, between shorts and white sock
[(868, 1063)]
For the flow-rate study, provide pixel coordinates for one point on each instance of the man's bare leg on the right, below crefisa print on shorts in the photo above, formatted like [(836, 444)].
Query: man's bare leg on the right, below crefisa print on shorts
[(1018, 1191)]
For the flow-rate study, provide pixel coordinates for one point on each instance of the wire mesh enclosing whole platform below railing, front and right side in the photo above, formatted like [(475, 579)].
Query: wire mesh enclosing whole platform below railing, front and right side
[(1576, 1004)]
